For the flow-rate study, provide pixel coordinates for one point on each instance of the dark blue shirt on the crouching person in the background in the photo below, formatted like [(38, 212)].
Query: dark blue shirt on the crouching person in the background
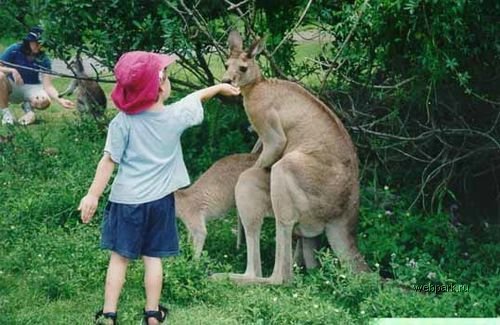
[(14, 55)]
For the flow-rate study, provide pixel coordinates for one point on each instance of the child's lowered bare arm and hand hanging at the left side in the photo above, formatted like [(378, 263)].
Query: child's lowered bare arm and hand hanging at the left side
[(89, 202)]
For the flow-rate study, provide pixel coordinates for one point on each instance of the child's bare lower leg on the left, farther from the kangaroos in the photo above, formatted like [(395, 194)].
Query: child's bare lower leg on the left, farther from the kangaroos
[(115, 277)]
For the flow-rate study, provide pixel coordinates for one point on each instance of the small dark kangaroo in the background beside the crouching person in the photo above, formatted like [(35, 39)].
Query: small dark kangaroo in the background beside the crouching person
[(90, 97)]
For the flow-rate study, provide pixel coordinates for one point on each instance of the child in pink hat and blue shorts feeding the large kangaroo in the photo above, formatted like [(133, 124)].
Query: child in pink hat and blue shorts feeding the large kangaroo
[(144, 140)]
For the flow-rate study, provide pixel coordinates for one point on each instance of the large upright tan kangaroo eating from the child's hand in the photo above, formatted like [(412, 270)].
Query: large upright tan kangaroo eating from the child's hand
[(307, 172)]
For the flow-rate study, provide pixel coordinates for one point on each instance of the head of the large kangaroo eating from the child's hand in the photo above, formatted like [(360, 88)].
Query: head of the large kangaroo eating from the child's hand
[(241, 68)]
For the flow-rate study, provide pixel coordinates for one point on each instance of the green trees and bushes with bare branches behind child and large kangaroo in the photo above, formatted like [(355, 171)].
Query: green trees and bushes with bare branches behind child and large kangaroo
[(416, 81)]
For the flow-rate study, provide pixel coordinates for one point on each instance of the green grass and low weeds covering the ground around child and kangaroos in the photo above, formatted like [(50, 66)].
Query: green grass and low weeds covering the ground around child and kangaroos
[(52, 270)]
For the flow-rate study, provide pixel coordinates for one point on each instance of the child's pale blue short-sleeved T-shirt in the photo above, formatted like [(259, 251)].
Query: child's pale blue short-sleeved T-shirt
[(147, 147)]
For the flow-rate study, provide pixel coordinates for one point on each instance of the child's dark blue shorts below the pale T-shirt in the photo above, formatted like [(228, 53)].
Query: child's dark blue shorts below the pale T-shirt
[(135, 230)]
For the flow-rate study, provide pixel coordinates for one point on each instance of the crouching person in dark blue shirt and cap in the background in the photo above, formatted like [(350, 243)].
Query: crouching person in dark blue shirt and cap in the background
[(19, 85)]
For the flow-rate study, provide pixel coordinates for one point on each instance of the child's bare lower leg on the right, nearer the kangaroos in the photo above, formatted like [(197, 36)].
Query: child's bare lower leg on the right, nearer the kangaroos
[(153, 280)]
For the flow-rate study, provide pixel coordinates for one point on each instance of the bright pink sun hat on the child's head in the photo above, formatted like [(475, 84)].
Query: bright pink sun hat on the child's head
[(138, 80)]
